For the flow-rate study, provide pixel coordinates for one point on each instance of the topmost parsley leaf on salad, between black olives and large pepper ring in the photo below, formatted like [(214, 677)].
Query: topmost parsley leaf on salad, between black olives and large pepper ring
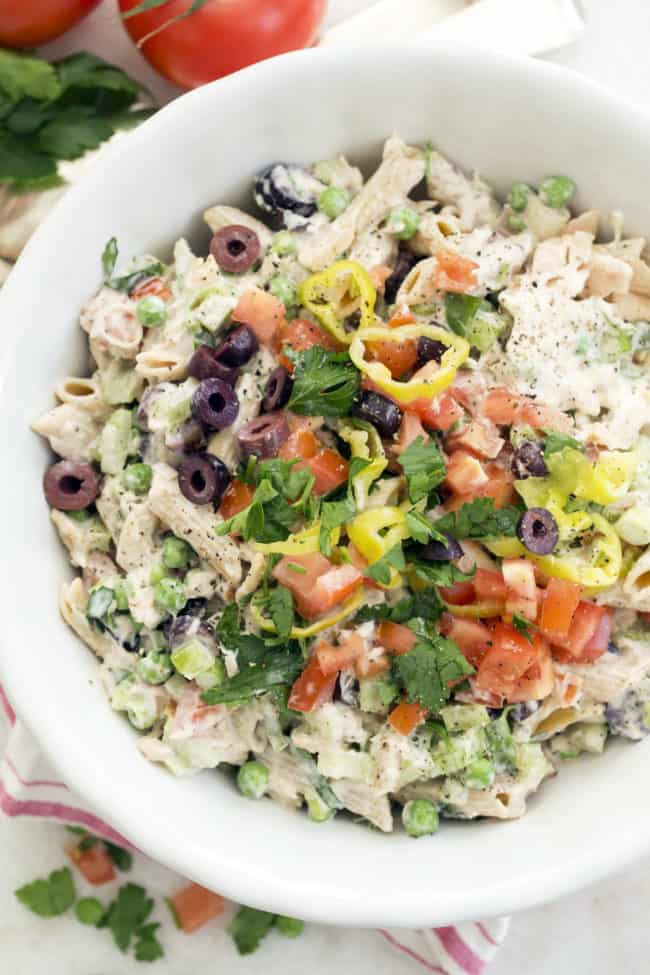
[(324, 383)]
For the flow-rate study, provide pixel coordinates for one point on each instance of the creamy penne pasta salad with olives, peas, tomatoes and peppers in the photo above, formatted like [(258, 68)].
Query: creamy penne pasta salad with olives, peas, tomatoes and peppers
[(360, 499)]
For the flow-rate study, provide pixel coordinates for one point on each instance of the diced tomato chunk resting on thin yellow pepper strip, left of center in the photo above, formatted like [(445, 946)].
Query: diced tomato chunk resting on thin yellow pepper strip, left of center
[(321, 586)]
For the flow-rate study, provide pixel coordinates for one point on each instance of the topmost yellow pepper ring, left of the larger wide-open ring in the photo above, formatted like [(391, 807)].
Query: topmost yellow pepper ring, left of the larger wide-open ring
[(337, 292)]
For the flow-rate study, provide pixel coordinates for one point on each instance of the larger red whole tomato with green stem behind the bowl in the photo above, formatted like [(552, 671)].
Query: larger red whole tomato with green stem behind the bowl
[(222, 36)]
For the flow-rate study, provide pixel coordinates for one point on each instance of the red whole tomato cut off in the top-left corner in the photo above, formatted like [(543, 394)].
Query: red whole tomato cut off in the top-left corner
[(27, 23)]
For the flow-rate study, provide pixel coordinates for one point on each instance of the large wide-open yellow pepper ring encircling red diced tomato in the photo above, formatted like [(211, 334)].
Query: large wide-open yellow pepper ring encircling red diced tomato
[(407, 392)]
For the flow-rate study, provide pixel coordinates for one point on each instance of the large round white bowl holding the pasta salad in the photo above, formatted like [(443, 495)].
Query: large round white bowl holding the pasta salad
[(510, 119)]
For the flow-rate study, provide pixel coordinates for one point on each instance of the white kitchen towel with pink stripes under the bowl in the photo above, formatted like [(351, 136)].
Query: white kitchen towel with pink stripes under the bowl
[(28, 787)]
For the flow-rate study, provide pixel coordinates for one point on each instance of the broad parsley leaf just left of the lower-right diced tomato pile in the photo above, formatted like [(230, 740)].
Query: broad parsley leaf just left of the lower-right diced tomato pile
[(427, 669)]
